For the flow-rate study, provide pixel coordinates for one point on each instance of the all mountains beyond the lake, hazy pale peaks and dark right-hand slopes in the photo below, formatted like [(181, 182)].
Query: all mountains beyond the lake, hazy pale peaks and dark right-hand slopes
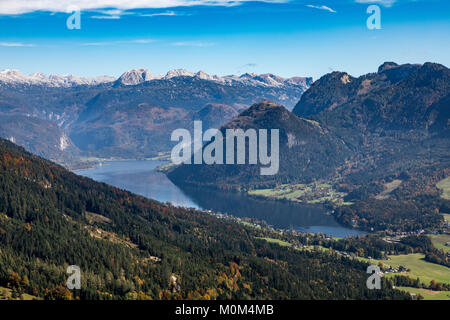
[(355, 134)]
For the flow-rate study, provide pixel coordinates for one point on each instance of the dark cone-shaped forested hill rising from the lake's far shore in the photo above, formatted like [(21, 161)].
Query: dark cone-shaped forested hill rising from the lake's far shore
[(306, 152)]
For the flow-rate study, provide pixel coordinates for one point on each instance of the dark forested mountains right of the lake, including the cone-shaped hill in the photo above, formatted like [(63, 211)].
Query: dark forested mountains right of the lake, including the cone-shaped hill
[(356, 135)]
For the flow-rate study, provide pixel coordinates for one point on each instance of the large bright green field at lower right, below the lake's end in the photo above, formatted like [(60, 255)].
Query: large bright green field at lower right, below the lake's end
[(419, 268)]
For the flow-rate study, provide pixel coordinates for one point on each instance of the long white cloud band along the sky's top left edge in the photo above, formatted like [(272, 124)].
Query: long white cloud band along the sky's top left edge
[(26, 6)]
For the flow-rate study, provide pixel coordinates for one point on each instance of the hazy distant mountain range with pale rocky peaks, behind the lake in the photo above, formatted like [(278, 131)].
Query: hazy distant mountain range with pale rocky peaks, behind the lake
[(131, 116)]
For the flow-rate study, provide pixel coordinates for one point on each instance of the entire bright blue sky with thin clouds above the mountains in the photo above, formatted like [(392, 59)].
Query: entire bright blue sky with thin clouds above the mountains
[(289, 38)]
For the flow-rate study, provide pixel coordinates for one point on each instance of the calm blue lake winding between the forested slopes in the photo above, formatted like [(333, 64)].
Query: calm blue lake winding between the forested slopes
[(141, 178)]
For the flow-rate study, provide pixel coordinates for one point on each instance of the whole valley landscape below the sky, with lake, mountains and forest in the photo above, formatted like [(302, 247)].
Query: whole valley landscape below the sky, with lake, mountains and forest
[(360, 182)]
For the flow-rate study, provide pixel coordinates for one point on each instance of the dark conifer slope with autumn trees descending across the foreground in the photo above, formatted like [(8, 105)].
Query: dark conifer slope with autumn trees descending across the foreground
[(131, 247)]
